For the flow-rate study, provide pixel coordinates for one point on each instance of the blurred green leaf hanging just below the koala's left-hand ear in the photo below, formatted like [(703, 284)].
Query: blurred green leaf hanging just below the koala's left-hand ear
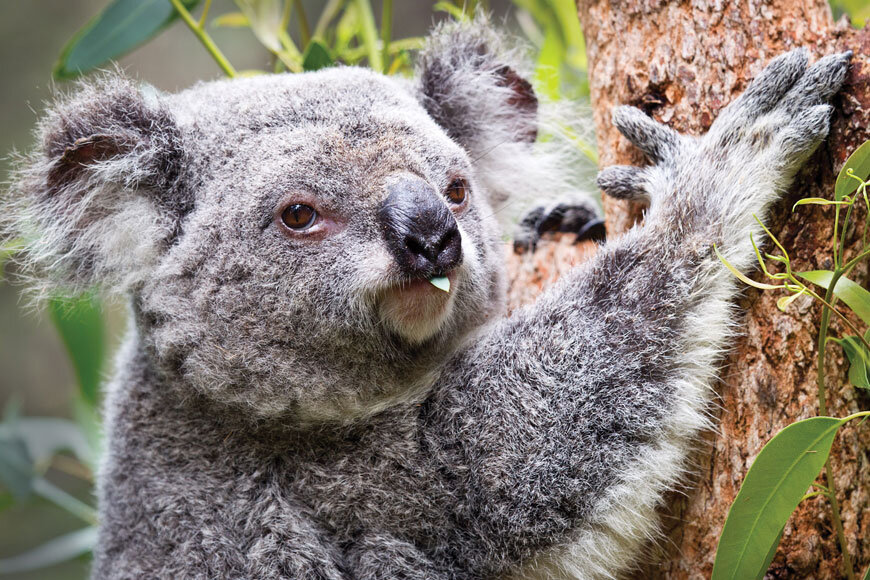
[(80, 324)]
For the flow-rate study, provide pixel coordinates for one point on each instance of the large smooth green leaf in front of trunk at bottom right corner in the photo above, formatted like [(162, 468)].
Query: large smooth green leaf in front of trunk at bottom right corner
[(773, 488)]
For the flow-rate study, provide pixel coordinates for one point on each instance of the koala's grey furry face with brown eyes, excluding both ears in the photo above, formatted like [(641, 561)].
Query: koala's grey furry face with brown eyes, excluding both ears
[(322, 208)]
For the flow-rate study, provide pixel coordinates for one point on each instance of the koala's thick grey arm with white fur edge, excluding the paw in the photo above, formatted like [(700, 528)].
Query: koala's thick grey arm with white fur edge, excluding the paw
[(586, 419)]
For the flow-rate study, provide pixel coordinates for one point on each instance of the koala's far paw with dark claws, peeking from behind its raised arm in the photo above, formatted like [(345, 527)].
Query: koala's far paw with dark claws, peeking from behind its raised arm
[(579, 217)]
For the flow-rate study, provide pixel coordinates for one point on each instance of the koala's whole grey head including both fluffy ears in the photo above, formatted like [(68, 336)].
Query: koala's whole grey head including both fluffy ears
[(277, 234)]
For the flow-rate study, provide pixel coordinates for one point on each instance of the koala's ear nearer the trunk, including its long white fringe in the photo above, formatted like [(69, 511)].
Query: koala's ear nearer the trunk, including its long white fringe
[(475, 88)]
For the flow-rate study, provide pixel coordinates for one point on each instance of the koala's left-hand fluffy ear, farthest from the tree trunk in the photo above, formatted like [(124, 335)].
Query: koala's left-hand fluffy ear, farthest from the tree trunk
[(100, 198)]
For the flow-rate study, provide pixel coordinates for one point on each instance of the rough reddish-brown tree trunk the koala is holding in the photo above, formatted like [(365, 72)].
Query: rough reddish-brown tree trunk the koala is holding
[(682, 62)]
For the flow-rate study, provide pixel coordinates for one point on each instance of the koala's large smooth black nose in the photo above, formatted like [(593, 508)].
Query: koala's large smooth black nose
[(420, 230)]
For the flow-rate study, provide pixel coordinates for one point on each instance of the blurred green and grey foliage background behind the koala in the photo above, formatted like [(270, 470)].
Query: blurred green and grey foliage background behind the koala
[(52, 359)]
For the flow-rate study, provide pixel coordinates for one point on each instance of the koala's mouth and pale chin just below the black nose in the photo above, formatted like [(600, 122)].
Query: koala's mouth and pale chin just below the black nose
[(416, 309)]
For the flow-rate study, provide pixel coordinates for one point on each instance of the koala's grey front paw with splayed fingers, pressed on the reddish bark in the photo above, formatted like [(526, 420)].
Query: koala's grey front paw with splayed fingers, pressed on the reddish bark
[(750, 154)]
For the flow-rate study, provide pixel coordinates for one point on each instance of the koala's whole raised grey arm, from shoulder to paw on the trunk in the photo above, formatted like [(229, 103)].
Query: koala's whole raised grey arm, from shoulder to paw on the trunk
[(561, 427)]
